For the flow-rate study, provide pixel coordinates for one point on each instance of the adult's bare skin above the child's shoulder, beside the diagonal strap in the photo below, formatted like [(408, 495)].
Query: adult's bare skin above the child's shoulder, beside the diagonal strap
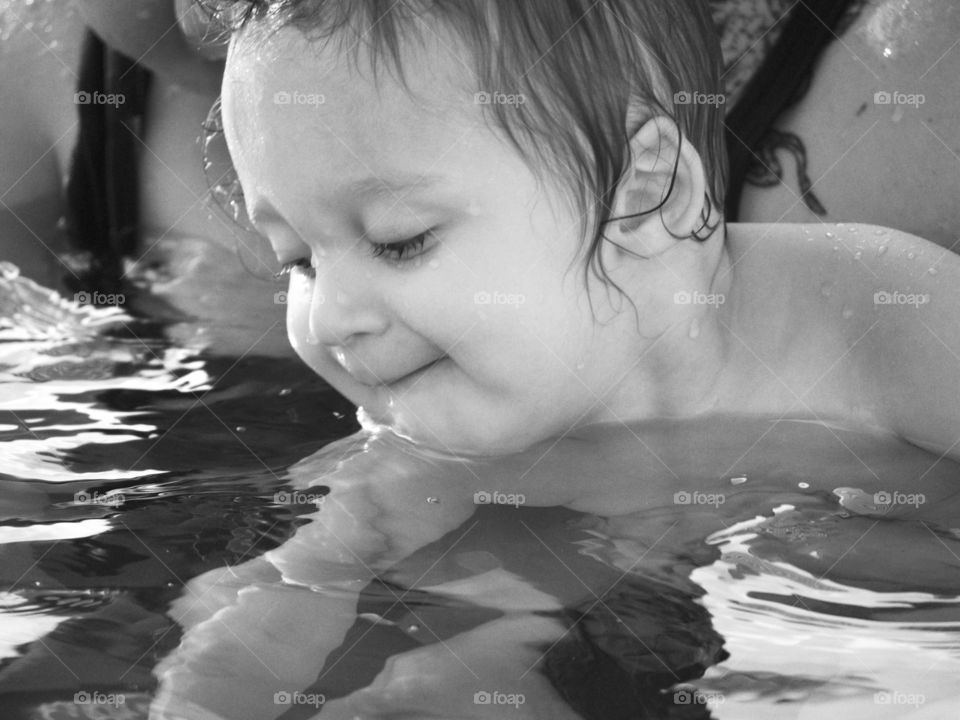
[(893, 163)]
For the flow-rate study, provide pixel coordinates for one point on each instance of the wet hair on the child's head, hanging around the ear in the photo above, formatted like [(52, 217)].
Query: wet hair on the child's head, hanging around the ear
[(591, 73)]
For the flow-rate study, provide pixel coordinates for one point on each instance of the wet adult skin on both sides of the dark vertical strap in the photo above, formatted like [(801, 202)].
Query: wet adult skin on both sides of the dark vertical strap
[(194, 246)]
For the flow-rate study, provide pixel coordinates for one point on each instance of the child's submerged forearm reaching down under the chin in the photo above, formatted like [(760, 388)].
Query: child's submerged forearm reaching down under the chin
[(272, 636)]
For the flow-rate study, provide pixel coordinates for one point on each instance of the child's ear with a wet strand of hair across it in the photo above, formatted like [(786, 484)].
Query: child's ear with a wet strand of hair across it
[(666, 182)]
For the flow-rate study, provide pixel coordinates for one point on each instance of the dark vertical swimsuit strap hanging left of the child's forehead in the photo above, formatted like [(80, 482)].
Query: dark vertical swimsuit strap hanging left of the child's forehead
[(103, 186)]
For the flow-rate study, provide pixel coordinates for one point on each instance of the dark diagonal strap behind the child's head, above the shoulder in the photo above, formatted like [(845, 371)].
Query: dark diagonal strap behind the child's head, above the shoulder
[(780, 81)]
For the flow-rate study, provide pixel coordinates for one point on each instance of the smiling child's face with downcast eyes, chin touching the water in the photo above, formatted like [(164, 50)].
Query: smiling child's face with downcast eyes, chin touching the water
[(482, 340)]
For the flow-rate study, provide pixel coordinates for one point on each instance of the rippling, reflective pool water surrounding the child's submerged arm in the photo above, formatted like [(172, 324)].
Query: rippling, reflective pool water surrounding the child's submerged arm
[(744, 568)]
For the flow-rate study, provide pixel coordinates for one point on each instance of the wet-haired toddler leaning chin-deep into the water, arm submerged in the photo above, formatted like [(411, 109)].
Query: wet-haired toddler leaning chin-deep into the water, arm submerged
[(501, 222)]
